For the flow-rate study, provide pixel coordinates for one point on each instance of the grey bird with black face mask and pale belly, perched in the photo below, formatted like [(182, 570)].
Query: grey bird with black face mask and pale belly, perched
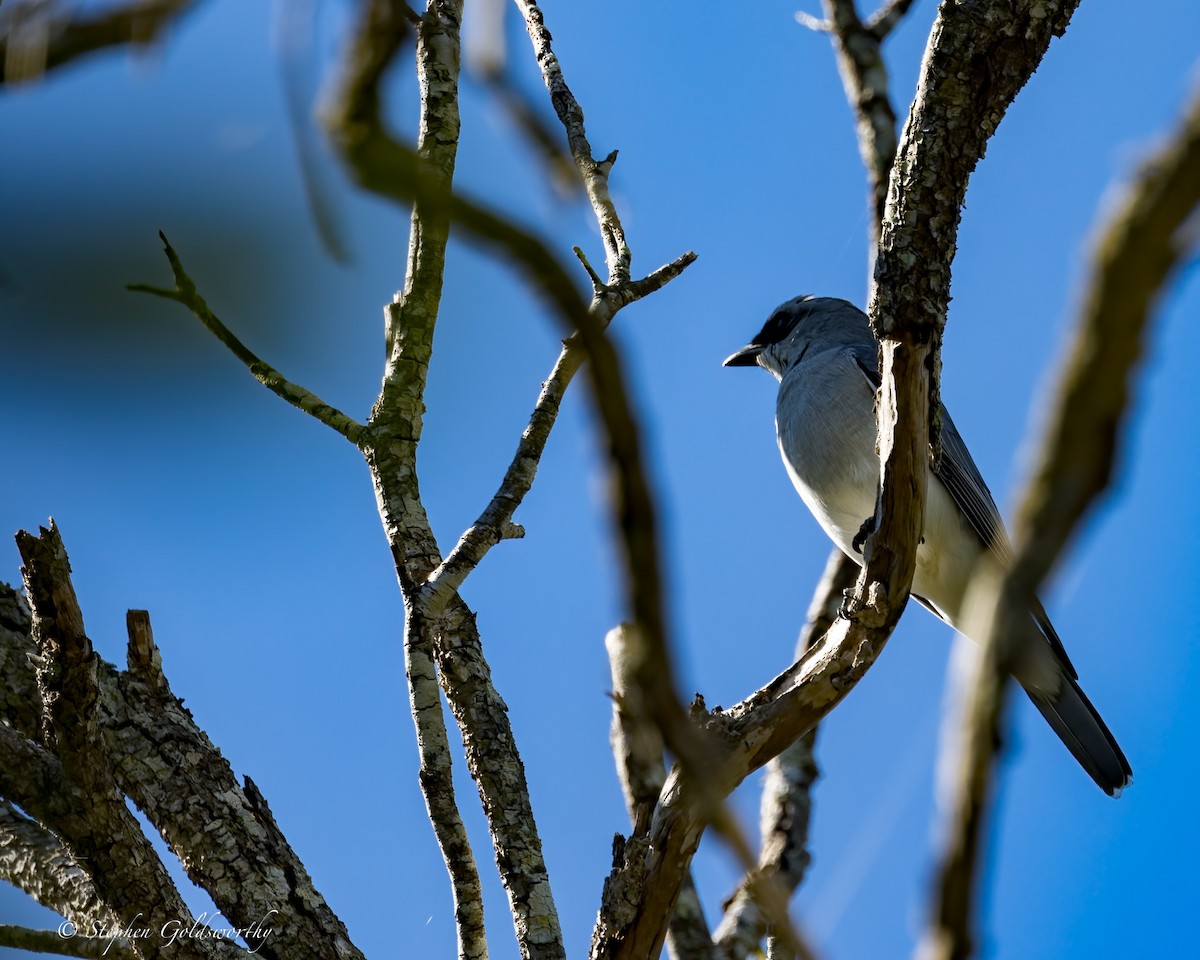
[(826, 361)]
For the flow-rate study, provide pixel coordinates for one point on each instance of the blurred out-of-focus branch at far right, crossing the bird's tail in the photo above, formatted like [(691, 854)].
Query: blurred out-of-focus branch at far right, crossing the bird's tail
[(1135, 256)]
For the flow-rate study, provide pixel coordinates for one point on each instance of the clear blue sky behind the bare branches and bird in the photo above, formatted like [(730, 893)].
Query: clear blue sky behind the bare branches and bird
[(250, 532)]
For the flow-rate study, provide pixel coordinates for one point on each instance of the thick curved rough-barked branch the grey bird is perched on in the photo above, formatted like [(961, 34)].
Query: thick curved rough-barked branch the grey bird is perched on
[(908, 304)]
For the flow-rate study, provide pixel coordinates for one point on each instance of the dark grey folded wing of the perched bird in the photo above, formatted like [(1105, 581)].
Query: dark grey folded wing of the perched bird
[(961, 477)]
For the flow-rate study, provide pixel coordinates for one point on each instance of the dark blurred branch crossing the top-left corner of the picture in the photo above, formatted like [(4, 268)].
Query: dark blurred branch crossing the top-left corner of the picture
[(37, 38)]
